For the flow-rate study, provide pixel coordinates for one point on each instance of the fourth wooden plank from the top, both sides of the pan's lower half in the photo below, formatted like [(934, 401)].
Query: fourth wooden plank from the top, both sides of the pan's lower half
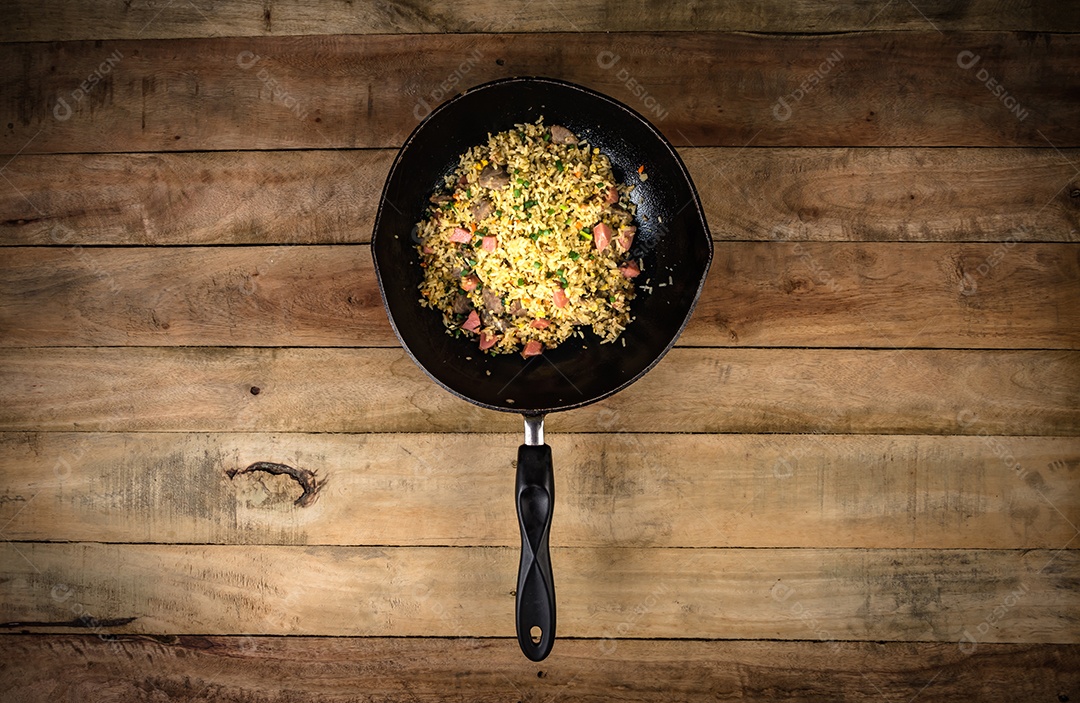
[(760, 294)]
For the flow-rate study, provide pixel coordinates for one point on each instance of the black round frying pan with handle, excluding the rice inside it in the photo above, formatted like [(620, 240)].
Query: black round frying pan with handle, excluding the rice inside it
[(673, 245)]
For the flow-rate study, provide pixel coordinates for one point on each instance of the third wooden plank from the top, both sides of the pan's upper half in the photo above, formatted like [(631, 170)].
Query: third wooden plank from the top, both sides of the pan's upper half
[(332, 197)]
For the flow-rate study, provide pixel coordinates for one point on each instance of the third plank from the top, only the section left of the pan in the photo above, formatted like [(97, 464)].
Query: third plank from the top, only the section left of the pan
[(201, 198)]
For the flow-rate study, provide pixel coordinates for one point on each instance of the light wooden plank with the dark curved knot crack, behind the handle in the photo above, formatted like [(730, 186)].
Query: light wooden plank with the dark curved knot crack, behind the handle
[(614, 490)]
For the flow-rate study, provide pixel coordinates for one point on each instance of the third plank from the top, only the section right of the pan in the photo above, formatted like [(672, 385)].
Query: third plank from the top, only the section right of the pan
[(889, 195)]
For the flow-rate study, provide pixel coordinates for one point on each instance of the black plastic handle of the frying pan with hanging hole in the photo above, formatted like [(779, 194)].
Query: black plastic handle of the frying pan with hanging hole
[(536, 588)]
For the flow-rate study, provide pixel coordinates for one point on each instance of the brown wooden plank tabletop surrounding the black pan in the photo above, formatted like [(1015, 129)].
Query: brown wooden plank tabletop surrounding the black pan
[(856, 478)]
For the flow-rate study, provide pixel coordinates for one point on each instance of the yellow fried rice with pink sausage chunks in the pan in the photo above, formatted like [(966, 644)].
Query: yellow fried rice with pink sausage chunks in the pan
[(529, 244)]
